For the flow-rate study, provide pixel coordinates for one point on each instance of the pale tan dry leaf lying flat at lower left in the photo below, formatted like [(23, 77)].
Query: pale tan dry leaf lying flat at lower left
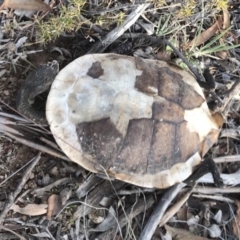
[(30, 209)]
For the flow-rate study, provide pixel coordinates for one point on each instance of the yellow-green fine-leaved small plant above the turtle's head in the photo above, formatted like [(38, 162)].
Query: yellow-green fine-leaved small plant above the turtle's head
[(69, 20)]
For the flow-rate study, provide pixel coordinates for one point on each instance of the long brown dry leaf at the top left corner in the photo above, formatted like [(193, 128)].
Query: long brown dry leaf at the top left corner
[(36, 5)]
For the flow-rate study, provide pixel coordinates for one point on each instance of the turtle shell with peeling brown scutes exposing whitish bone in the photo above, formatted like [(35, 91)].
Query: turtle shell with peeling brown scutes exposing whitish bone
[(141, 121)]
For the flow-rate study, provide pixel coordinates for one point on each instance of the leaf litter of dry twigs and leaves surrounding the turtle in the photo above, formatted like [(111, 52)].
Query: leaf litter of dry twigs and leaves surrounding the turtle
[(59, 200)]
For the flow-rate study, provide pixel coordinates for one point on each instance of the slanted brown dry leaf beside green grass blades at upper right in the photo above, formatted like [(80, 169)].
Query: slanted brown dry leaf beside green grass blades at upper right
[(207, 34)]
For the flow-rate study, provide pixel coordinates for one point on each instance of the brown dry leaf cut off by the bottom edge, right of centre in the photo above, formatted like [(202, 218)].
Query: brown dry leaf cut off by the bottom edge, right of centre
[(182, 234)]
